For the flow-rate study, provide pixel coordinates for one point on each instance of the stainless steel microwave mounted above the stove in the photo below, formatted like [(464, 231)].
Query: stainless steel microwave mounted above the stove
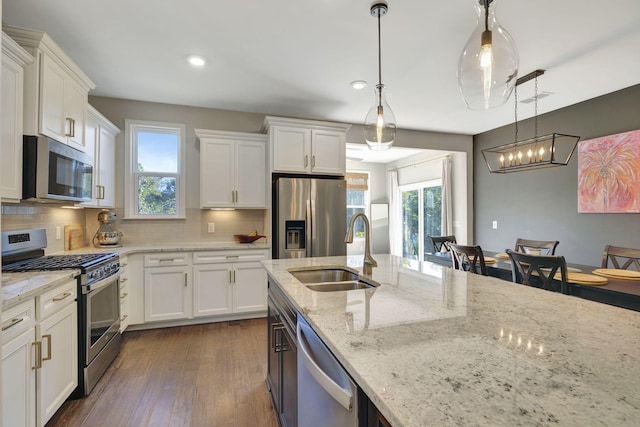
[(55, 172)]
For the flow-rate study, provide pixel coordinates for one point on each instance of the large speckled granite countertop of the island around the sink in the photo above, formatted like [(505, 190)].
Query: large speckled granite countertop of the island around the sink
[(436, 346)]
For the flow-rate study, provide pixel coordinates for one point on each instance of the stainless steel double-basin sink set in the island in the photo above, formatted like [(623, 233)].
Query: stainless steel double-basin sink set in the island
[(331, 279)]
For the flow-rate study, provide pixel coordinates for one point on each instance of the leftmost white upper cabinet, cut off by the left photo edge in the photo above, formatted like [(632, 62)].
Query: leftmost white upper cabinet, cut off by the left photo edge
[(14, 60)]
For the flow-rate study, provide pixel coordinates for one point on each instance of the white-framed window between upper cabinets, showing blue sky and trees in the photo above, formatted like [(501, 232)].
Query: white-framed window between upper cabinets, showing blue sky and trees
[(154, 170)]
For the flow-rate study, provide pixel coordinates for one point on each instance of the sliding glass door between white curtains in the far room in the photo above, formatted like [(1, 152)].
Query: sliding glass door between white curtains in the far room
[(421, 217)]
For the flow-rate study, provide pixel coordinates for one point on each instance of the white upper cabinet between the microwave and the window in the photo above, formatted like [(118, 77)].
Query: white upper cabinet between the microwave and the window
[(101, 142)]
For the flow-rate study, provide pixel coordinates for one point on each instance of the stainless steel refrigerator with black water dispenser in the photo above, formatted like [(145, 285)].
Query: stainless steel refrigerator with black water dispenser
[(309, 217)]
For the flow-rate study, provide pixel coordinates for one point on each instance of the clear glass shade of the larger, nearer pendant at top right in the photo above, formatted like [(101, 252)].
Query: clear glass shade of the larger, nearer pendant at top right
[(488, 65)]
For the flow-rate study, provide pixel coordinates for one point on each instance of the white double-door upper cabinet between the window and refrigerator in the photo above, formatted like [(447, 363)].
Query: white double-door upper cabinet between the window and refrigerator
[(233, 169)]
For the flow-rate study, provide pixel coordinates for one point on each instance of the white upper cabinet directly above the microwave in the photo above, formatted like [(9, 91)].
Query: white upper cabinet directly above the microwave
[(56, 90)]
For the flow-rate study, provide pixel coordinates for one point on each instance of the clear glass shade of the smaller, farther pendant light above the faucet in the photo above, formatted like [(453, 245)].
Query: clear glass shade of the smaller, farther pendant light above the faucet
[(380, 123)]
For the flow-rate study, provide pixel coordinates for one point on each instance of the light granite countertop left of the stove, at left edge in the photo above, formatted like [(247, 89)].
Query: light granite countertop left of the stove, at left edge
[(18, 287)]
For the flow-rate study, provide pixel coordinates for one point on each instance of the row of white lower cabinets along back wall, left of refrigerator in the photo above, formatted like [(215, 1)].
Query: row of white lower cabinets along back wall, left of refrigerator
[(172, 288)]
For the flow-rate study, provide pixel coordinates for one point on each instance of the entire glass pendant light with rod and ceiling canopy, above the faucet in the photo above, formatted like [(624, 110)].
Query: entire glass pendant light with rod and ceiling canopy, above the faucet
[(380, 123)]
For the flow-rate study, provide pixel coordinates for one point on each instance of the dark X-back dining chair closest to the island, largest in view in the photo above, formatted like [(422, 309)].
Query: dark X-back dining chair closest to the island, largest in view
[(533, 270)]
